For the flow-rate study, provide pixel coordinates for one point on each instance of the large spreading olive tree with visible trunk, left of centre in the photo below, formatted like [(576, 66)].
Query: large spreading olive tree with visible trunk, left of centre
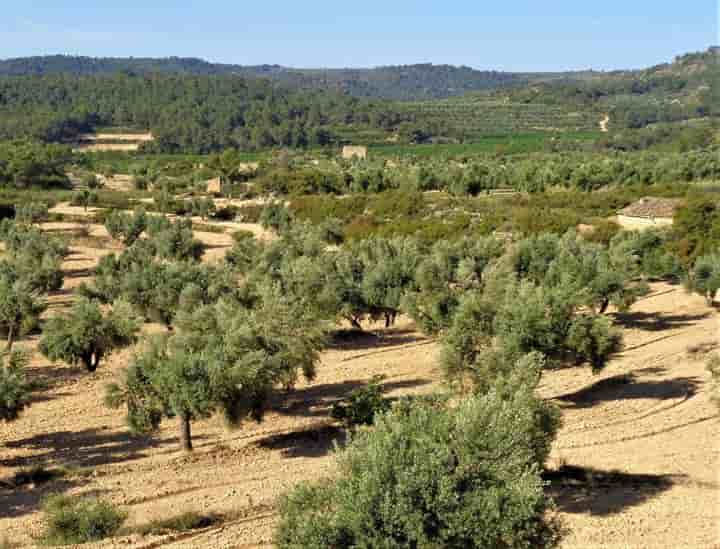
[(224, 358)]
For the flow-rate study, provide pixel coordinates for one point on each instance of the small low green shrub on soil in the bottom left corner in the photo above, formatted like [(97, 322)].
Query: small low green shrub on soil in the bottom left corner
[(73, 520)]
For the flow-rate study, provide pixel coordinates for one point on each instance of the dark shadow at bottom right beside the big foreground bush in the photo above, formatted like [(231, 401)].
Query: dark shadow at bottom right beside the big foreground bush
[(601, 493)]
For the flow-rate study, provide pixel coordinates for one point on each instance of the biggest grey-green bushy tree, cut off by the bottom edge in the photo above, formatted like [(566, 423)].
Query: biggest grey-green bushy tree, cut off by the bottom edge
[(428, 476)]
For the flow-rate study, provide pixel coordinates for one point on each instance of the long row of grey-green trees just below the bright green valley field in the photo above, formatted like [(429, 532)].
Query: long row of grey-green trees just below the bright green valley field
[(473, 176)]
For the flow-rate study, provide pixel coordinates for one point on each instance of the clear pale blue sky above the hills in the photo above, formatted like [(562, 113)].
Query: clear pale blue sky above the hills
[(504, 35)]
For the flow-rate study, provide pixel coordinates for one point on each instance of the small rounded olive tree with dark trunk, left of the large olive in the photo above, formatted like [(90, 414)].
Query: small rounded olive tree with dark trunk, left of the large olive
[(86, 335)]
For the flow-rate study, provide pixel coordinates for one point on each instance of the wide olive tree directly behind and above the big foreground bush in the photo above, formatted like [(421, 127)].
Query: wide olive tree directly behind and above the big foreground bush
[(509, 317)]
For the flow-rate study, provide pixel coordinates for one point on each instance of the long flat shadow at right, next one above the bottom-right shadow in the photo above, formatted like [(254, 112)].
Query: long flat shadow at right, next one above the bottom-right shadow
[(624, 386)]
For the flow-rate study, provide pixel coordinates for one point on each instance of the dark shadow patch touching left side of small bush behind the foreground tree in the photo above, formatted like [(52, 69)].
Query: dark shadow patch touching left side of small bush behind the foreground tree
[(311, 442)]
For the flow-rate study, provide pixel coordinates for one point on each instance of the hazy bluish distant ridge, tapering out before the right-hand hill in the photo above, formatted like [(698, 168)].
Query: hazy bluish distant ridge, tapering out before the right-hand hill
[(408, 82)]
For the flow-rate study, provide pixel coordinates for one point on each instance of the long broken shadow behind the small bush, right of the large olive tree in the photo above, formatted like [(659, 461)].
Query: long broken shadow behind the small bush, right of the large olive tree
[(316, 400)]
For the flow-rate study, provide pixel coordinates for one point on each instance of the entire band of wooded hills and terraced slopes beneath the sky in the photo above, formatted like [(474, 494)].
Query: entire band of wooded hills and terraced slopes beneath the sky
[(190, 108)]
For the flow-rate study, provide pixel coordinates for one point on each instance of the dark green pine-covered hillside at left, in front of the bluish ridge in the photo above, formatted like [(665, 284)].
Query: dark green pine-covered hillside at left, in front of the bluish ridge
[(184, 112)]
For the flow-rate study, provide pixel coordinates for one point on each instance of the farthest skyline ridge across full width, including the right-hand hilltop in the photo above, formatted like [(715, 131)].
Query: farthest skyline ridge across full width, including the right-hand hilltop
[(403, 82)]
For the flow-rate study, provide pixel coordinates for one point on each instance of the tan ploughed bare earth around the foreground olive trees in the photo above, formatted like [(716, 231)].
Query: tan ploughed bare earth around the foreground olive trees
[(647, 447)]
